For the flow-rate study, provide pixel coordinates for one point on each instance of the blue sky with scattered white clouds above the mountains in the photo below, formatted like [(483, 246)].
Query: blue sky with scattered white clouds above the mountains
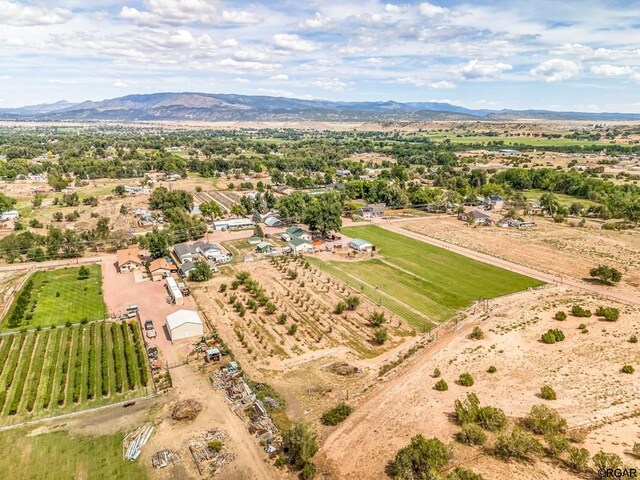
[(570, 55)]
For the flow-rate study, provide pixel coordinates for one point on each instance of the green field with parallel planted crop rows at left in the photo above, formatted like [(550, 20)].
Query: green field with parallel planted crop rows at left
[(60, 370)]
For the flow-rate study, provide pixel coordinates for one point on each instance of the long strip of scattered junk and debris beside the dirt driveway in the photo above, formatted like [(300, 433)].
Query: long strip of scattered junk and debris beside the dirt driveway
[(246, 405)]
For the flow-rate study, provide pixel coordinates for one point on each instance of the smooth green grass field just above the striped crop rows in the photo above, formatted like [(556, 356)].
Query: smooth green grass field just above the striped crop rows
[(56, 297)]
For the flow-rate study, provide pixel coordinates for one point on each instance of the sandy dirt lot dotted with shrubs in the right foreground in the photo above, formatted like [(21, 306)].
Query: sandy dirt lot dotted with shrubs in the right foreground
[(584, 370)]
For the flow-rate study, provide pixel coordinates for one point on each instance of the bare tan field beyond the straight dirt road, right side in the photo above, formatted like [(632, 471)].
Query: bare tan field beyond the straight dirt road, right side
[(549, 247)]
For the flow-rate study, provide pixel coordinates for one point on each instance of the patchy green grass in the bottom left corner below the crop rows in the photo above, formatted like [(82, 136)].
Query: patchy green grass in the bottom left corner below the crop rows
[(63, 456)]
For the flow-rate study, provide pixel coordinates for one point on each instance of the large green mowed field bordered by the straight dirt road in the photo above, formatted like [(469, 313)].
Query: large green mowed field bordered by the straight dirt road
[(422, 283)]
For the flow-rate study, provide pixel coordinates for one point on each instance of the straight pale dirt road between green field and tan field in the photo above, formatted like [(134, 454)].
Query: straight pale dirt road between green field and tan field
[(623, 296)]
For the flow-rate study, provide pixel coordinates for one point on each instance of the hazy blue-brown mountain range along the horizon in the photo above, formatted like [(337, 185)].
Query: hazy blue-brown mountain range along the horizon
[(228, 107)]
